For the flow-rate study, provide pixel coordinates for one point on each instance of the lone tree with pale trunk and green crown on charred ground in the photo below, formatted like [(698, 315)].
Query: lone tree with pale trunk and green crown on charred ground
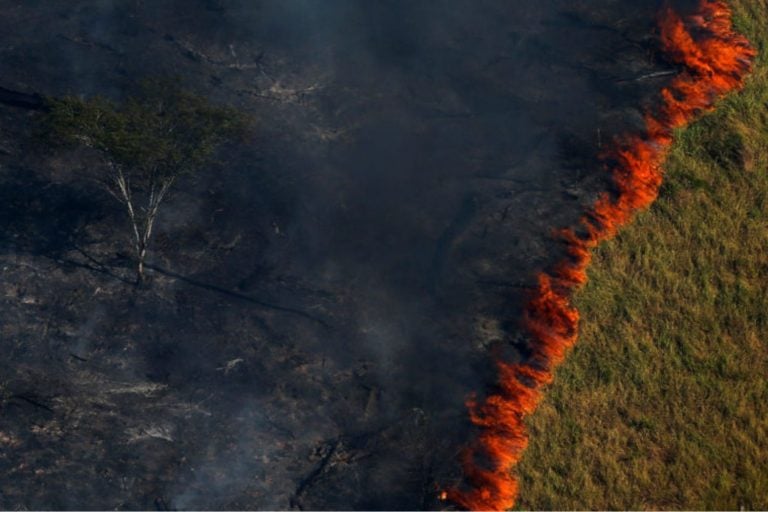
[(147, 142)]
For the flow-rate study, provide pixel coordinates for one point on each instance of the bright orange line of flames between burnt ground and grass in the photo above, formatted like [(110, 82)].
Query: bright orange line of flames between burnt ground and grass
[(714, 60)]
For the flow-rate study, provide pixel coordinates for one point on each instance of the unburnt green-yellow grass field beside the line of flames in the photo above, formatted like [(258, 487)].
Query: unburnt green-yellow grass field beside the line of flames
[(663, 404)]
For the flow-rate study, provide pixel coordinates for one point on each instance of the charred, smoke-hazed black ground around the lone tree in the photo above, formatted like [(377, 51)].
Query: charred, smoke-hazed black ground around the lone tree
[(324, 299)]
